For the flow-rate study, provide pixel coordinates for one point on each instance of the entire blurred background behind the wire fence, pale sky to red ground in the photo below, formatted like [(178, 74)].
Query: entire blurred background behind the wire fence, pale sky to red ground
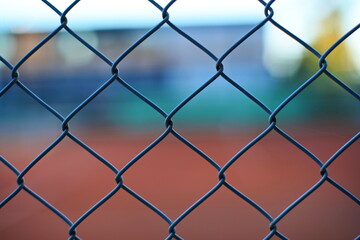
[(220, 121)]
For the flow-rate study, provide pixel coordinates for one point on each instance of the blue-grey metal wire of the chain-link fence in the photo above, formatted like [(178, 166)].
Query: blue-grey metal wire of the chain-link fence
[(114, 78)]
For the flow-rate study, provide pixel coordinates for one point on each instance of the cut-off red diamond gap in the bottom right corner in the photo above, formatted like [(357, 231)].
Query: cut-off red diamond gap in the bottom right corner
[(326, 213)]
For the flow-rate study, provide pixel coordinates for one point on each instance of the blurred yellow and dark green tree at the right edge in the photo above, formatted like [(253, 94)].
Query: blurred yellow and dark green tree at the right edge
[(328, 99)]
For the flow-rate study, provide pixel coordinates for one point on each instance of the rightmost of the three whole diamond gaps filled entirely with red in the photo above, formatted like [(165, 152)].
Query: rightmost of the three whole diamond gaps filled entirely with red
[(273, 173)]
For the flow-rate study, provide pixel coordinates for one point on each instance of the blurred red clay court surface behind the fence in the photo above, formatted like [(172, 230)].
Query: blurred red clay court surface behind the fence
[(172, 177)]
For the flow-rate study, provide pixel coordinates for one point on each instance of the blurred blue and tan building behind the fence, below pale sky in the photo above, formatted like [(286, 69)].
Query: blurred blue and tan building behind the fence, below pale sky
[(64, 72)]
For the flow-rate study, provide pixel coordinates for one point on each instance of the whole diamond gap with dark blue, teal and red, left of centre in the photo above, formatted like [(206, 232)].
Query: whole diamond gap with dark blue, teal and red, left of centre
[(117, 125)]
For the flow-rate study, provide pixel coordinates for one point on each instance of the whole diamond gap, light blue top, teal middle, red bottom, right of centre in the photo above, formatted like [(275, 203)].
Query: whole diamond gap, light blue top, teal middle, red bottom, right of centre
[(220, 120)]
